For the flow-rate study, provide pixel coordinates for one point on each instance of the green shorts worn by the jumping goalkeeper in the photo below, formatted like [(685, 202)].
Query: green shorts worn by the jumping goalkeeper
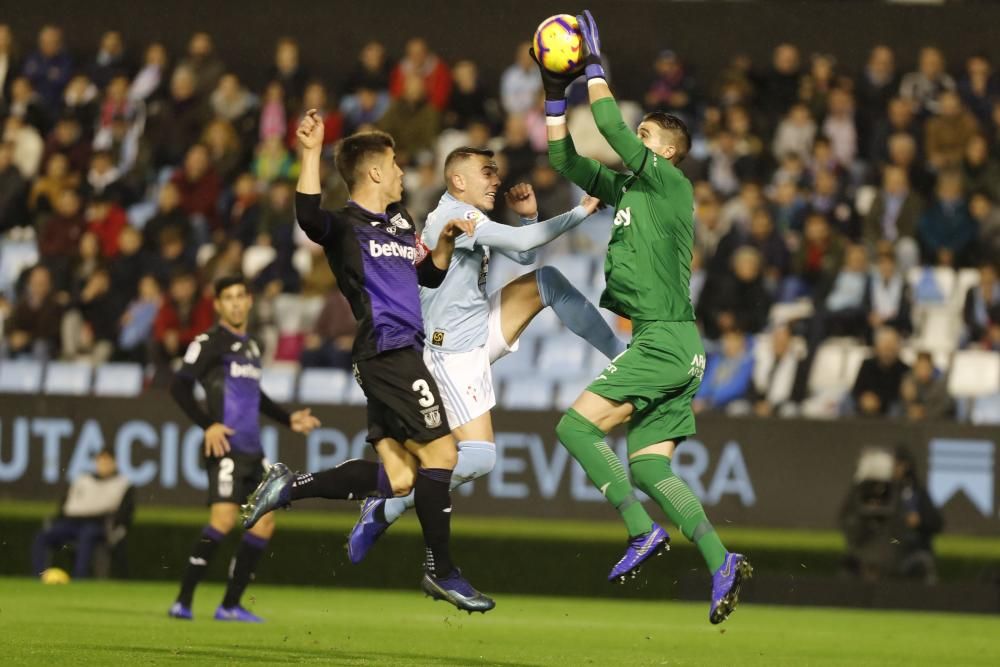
[(659, 374)]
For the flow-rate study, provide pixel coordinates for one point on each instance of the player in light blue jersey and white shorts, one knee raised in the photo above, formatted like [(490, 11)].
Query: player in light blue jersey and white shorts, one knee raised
[(467, 329)]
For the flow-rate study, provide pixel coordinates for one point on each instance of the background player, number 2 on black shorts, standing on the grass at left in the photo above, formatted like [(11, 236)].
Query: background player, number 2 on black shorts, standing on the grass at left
[(226, 361)]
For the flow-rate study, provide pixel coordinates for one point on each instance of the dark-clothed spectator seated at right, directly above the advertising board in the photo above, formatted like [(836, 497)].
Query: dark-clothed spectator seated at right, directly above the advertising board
[(876, 390)]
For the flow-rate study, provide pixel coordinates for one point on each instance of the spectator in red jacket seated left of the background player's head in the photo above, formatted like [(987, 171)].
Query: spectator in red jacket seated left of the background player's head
[(184, 314)]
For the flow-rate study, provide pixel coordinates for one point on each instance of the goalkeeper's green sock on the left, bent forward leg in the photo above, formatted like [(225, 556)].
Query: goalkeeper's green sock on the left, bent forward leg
[(585, 443)]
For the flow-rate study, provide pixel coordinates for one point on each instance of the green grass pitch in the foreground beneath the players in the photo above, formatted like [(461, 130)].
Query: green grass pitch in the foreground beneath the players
[(125, 624)]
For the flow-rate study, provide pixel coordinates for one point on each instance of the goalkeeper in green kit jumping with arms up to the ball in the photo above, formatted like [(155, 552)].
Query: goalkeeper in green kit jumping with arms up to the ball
[(648, 270)]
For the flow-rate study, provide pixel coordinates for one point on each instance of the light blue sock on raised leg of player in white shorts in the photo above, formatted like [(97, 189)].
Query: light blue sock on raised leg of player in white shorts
[(579, 315)]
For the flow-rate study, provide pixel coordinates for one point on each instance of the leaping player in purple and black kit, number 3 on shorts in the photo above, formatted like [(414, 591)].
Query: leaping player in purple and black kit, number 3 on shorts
[(371, 246)]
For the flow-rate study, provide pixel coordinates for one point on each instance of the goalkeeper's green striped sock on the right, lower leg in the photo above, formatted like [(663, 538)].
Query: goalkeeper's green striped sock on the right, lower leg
[(652, 473)]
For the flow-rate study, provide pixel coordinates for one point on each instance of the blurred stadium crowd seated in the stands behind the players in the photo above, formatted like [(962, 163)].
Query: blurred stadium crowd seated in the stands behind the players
[(834, 209)]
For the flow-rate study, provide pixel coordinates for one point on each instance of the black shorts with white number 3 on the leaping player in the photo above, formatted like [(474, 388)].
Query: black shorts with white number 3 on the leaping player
[(403, 399)]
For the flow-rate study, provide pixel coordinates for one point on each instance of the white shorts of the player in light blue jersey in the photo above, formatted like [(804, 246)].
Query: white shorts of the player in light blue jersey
[(465, 379)]
